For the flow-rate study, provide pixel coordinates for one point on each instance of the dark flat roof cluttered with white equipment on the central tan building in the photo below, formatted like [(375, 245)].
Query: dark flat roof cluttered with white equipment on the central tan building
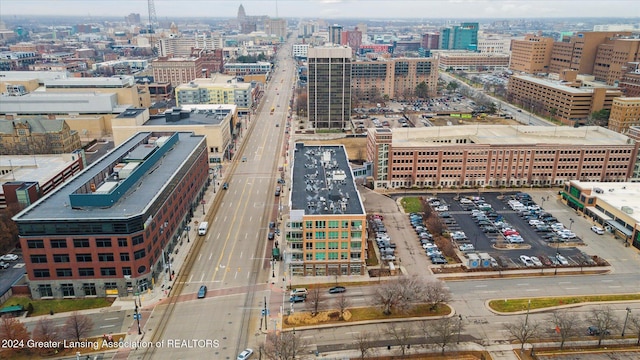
[(322, 181)]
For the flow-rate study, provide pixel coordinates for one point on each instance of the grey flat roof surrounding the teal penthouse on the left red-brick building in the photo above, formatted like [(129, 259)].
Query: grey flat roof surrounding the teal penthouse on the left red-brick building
[(56, 205)]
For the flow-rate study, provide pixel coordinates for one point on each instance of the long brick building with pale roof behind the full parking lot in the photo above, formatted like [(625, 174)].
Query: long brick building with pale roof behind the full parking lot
[(471, 156)]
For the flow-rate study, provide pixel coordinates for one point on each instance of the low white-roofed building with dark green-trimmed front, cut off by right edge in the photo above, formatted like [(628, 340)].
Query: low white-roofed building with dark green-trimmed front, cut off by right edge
[(613, 206)]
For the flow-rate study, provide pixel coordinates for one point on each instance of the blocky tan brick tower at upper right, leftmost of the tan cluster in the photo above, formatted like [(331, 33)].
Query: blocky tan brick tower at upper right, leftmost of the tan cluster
[(531, 55)]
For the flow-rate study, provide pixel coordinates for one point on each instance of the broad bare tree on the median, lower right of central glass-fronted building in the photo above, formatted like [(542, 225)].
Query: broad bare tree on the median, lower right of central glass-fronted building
[(397, 294)]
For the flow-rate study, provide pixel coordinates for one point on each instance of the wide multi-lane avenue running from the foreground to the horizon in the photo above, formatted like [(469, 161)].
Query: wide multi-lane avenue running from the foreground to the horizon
[(235, 252)]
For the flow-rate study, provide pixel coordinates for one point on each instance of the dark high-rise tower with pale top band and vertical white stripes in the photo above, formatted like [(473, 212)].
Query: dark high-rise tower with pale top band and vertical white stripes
[(329, 87)]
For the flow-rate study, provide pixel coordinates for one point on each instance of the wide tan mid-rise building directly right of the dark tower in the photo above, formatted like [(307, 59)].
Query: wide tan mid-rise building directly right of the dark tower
[(397, 78)]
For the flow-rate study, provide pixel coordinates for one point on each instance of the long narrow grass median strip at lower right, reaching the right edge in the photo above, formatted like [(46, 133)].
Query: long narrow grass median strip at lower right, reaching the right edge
[(516, 305)]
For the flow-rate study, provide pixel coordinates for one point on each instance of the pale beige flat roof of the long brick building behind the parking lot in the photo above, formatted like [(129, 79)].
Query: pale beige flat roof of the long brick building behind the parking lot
[(505, 135)]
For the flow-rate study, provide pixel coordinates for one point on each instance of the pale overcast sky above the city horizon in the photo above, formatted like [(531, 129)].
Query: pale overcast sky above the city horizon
[(331, 8)]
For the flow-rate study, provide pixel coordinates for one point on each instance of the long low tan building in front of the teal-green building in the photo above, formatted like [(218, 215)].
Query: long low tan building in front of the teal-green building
[(471, 61)]
